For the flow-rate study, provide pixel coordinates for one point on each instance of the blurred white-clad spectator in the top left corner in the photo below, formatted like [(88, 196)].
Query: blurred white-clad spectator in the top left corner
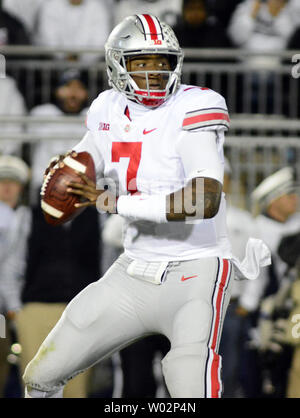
[(25, 10)]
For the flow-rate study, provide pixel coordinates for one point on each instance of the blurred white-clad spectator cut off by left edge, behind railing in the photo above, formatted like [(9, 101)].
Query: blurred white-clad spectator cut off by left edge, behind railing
[(11, 104)]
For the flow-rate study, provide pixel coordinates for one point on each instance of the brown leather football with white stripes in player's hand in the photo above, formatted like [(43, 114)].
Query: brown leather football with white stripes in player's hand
[(57, 204)]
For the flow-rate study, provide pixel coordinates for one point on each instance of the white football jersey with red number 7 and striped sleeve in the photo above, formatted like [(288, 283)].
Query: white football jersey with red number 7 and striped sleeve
[(138, 148)]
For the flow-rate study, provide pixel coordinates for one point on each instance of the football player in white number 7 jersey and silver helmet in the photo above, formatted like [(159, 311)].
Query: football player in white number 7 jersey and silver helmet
[(159, 147)]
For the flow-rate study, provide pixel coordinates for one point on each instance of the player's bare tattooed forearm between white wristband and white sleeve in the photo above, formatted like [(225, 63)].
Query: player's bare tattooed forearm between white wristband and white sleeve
[(200, 199)]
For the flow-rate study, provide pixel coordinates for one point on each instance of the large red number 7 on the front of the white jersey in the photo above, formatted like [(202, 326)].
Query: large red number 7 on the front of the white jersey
[(133, 151)]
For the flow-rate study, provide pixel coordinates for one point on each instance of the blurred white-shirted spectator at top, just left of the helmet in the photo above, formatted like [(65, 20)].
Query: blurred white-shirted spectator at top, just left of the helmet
[(74, 24)]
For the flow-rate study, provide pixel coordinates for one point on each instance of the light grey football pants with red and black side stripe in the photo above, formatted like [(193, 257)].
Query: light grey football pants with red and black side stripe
[(188, 308)]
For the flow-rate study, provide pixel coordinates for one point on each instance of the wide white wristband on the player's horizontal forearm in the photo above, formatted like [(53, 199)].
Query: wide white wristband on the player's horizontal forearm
[(142, 207)]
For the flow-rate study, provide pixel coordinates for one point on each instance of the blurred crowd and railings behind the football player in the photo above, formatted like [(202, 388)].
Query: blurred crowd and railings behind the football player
[(54, 67)]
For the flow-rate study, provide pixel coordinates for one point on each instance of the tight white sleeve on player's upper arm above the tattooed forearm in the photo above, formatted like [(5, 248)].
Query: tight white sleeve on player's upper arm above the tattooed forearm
[(200, 156)]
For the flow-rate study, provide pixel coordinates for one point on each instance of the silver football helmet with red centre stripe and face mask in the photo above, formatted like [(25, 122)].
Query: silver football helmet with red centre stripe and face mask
[(140, 35)]
